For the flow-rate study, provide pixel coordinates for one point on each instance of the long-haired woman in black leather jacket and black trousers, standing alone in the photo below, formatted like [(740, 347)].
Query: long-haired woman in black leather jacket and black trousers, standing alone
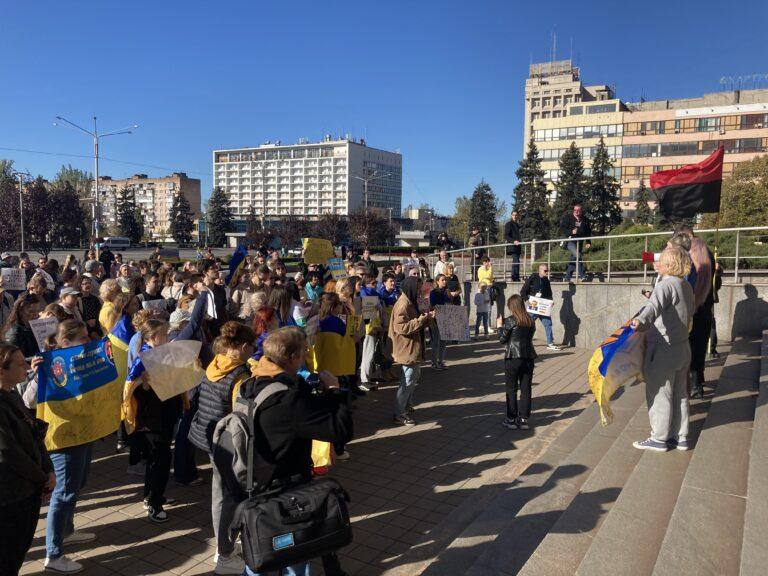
[(516, 333)]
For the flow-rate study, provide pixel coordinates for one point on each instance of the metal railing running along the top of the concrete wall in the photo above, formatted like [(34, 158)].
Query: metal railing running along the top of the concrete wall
[(535, 252)]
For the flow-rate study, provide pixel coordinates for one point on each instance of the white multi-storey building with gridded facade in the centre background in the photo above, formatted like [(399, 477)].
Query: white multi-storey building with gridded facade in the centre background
[(309, 179)]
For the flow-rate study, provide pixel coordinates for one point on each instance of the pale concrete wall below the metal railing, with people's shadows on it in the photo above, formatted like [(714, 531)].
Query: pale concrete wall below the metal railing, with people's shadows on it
[(585, 314)]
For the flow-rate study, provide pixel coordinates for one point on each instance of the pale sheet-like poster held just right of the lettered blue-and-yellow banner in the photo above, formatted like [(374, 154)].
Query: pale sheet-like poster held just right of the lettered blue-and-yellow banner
[(173, 368)]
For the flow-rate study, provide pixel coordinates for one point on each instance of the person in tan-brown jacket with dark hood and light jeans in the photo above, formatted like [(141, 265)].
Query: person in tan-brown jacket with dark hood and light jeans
[(404, 330)]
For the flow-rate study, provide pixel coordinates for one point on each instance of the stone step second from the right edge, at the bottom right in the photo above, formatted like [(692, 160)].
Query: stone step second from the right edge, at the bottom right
[(705, 532)]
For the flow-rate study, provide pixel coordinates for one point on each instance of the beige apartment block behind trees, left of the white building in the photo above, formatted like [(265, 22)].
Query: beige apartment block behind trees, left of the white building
[(154, 196)]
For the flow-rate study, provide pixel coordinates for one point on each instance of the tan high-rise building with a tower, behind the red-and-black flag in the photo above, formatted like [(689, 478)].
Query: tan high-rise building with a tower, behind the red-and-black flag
[(644, 137)]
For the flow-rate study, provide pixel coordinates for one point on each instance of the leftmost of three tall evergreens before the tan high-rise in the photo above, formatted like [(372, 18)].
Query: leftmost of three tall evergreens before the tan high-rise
[(532, 196)]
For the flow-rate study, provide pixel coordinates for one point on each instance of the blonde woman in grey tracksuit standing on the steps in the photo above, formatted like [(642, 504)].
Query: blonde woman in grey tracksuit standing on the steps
[(667, 318)]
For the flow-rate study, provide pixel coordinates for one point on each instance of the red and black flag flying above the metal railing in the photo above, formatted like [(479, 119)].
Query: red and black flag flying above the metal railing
[(692, 189)]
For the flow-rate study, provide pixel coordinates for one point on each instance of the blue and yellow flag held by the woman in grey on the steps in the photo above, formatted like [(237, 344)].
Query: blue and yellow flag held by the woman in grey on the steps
[(617, 359)]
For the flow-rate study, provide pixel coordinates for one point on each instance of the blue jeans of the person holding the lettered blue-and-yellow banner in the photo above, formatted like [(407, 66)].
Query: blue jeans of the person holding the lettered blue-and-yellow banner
[(71, 466)]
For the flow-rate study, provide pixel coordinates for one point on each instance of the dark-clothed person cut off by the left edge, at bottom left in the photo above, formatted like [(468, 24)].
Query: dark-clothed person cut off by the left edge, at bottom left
[(26, 471)]
